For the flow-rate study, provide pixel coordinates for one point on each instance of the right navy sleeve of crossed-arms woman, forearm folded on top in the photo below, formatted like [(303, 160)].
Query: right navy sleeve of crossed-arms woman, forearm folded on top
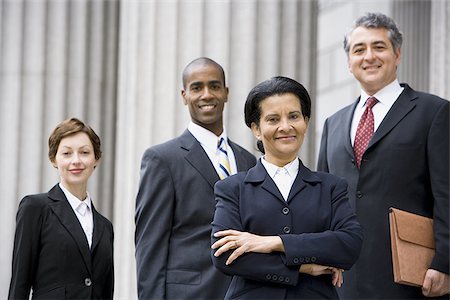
[(340, 245)]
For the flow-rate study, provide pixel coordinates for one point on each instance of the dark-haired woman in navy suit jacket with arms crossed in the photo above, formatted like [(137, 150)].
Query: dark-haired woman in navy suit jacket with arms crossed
[(283, 231)]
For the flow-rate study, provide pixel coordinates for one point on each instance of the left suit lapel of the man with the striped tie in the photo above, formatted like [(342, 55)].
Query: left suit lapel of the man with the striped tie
[(198, 158)]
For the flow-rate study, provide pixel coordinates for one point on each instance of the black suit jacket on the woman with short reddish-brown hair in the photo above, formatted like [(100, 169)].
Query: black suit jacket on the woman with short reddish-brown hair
[(51, 253)]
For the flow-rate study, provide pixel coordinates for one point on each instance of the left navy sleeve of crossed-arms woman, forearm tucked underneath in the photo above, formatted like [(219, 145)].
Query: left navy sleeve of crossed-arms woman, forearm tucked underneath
[(255, 266)]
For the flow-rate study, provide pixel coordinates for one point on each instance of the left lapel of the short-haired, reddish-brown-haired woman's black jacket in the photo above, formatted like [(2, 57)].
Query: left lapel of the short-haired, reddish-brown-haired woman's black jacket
[(69, 220)]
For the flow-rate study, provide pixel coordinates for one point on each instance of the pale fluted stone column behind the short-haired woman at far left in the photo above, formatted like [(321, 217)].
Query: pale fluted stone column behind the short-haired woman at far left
[(57, 60)]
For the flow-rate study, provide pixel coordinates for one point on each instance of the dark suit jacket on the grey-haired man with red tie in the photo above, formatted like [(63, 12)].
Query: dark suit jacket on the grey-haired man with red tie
[(406, 165)]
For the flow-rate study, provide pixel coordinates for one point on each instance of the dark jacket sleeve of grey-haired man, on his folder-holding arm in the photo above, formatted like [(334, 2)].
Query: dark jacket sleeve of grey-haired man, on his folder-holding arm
[(438, 163)]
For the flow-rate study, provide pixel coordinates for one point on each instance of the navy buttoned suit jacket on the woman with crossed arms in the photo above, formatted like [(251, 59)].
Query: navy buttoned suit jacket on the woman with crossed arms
[(316, 225)]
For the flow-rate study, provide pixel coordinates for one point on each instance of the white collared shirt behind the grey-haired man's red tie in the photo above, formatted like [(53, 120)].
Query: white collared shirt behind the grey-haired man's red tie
[(386, 98)]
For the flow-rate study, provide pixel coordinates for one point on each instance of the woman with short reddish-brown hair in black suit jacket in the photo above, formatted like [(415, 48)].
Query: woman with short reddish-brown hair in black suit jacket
[(63, 248)]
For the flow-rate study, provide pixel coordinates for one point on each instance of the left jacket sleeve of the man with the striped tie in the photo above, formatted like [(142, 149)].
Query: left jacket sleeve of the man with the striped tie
[(153, 217)]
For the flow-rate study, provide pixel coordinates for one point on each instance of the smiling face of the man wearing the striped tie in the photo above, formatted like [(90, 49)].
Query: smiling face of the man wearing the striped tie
[(205, 94)]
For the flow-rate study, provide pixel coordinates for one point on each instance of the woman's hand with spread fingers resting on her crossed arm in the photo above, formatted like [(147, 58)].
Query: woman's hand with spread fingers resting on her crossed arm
[(243, 242)]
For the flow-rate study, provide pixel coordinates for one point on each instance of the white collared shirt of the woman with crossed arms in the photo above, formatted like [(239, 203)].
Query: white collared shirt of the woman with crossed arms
[(283, 177)]
